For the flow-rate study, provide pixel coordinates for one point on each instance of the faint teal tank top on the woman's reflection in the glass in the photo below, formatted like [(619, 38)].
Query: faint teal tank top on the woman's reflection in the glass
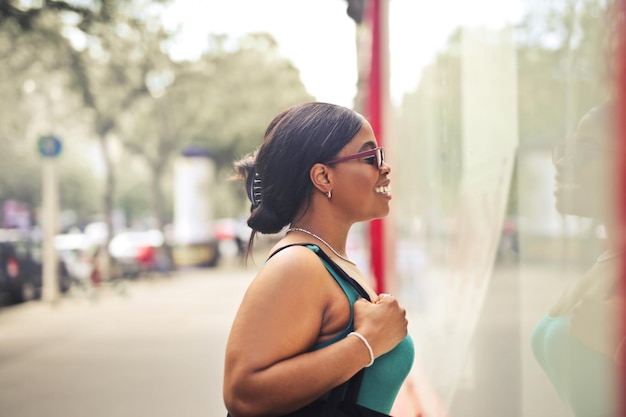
[(585, 380)]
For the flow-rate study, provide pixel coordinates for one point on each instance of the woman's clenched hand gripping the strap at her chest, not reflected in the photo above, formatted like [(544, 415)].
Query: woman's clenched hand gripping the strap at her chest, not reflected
[(382, 322)]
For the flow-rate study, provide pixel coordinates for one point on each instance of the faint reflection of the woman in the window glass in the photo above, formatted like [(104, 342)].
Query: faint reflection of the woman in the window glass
[(578, 343)]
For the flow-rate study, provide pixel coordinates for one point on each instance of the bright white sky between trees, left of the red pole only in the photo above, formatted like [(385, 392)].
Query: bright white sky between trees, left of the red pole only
[(316, 35)]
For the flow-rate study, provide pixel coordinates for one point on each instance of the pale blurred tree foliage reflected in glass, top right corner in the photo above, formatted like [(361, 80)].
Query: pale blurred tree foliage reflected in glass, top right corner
[(564, 58)]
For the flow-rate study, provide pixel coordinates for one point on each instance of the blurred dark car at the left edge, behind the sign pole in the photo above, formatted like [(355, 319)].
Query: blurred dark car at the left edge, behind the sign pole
[(21, 269)]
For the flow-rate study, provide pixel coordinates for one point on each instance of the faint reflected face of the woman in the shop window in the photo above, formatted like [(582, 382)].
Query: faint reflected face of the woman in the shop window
[(584, 178)]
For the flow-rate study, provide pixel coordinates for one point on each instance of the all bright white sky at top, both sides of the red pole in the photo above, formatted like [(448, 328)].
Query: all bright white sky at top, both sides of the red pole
[(319, 37)]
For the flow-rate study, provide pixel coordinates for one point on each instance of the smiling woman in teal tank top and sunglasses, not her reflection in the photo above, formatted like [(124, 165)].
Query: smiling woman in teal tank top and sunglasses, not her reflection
[(301, 329)]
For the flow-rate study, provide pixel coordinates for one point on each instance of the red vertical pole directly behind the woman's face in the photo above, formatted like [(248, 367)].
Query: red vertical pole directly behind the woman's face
[(374, 110)]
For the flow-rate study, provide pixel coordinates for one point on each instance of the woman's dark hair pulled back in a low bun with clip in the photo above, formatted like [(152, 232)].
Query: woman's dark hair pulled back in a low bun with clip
[(294, 141)]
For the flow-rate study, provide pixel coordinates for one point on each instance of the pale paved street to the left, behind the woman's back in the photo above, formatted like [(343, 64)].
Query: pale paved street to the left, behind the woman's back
[(156, 350)]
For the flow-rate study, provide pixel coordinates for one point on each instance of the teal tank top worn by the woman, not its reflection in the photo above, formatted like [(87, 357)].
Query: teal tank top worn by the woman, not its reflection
[(382, 381)]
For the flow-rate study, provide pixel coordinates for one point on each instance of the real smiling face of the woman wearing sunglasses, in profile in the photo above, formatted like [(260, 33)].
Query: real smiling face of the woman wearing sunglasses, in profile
[(361, 189)]
